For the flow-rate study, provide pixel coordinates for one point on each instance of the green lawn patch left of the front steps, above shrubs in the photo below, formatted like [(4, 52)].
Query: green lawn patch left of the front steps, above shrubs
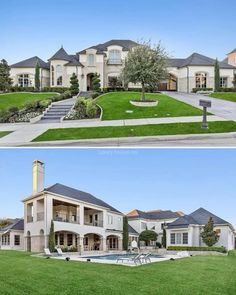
[(18, 99)]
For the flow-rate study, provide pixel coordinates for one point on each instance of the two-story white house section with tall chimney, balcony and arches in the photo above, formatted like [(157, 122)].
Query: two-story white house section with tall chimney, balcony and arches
[(80, 219)]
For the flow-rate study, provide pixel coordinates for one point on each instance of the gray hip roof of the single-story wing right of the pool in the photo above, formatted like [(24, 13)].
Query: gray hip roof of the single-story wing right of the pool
[(199, 217)]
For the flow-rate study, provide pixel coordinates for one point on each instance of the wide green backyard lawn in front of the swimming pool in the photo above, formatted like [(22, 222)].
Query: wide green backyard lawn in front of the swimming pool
[(23, 274)]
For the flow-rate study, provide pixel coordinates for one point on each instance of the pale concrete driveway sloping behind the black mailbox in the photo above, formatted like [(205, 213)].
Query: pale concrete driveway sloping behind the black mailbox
[(220, 108)]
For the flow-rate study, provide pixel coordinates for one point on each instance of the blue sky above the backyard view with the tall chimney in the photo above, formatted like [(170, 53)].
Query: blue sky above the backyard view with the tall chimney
[(175, 179)]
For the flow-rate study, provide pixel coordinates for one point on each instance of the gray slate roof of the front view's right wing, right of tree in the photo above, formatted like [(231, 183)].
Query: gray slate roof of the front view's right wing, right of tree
[(197, 59)]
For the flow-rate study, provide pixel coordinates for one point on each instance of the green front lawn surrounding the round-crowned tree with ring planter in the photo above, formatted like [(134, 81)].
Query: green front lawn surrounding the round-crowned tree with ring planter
[(115, 106)]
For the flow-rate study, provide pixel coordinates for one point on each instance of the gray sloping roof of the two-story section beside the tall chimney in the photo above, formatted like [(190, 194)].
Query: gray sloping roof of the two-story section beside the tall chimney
[(63, 190)]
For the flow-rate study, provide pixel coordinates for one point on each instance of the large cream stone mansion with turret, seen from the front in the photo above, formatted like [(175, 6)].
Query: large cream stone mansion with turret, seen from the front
[(107, 59)]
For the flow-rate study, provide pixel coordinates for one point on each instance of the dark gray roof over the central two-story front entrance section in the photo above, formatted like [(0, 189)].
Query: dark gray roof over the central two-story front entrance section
[(126, 44)]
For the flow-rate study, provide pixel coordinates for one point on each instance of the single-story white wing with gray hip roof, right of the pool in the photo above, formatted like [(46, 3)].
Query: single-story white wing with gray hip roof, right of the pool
[(186, 230)]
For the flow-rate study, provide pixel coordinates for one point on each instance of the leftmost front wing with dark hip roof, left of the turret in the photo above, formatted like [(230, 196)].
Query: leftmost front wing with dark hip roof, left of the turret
[(23, 73)]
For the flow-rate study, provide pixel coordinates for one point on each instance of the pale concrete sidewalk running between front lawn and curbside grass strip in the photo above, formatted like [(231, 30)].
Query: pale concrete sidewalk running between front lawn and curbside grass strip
[(25, 133)]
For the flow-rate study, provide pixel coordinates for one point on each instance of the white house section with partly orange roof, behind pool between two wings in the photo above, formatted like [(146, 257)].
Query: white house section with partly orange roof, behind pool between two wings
[(155, 220)]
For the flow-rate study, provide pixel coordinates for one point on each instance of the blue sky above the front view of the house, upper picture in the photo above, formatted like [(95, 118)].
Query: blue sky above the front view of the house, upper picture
[(32, 27)]
